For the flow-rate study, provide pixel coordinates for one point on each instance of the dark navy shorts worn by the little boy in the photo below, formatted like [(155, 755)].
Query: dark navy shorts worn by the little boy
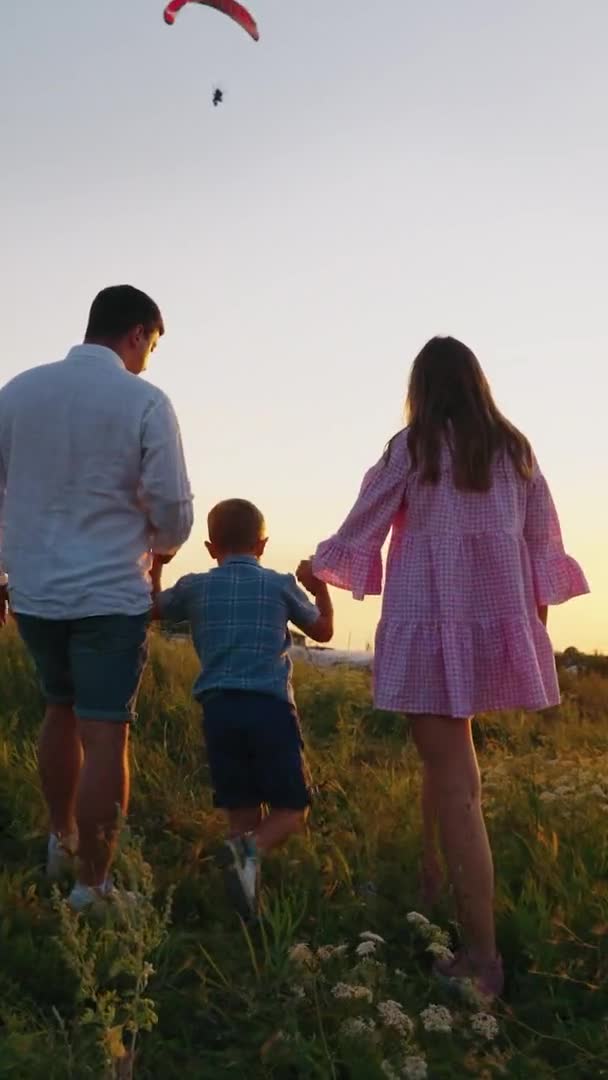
[(255, 751)]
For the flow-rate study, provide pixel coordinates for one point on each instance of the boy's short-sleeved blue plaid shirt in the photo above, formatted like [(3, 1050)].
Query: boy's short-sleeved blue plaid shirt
[(239, 614)]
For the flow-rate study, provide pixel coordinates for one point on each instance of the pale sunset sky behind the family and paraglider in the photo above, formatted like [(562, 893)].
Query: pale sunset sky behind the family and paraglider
[(377, 174)]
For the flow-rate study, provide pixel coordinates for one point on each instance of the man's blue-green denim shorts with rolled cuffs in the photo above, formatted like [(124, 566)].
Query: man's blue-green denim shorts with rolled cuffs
[(94, 665)]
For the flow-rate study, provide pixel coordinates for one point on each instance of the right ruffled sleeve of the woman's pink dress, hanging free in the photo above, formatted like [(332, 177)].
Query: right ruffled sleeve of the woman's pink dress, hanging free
[(557, 576)]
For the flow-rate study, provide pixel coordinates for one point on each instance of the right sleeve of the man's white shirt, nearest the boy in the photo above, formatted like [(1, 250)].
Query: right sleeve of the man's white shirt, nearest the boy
[(165, 489)]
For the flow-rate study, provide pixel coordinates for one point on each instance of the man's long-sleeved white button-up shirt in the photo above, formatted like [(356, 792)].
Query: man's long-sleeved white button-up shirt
[(92, 483)]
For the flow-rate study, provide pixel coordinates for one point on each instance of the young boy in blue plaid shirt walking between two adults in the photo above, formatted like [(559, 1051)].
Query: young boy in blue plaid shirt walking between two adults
[(239, 614)]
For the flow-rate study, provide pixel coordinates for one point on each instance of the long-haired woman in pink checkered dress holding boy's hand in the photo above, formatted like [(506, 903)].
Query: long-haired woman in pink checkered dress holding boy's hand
[(476, 558)]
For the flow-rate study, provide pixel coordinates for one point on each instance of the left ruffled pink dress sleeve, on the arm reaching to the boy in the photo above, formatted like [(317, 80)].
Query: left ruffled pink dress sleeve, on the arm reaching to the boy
[(353, 558)]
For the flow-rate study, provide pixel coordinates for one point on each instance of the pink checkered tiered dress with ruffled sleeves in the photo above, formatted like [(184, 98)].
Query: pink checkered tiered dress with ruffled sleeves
[(460, 632)]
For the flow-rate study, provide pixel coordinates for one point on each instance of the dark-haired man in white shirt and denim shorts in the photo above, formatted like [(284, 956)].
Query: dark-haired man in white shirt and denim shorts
[(93, 485)]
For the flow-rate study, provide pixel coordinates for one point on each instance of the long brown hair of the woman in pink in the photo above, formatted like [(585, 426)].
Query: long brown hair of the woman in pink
[(450, 400)]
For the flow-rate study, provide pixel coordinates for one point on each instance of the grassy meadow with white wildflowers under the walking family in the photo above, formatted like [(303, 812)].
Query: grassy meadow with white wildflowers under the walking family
[(179, 990)]
